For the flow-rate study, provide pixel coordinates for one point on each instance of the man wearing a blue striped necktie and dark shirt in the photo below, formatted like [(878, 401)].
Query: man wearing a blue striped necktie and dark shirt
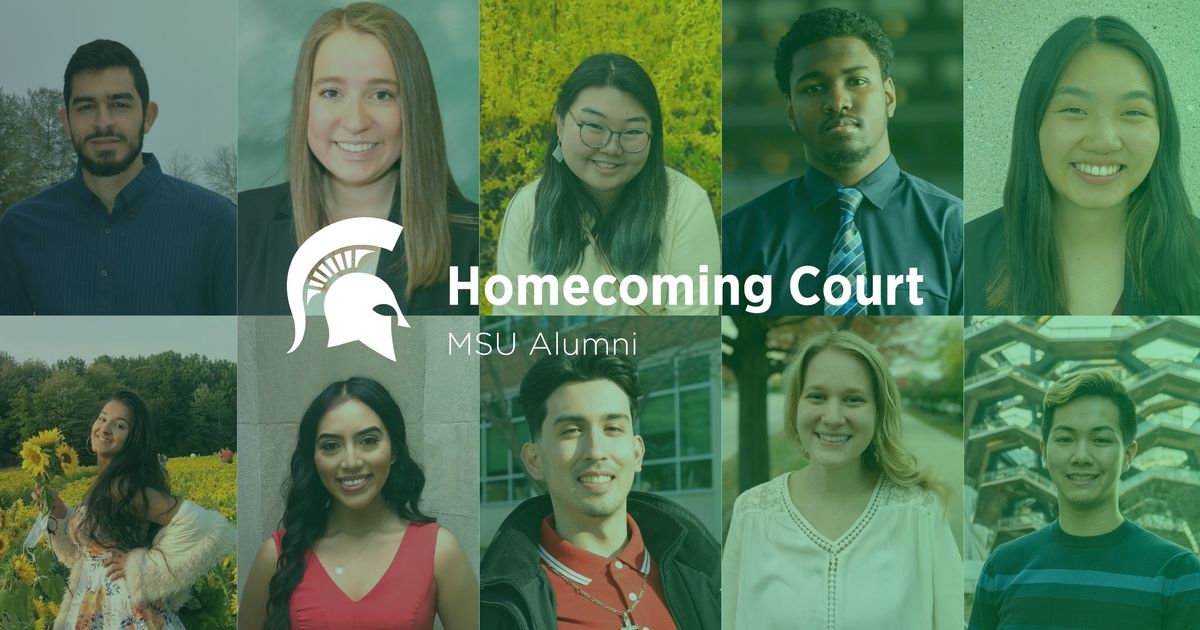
[(855, 224)]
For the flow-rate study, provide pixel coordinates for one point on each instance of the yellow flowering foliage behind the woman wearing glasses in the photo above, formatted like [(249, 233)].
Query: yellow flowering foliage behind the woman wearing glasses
[(527, 51)]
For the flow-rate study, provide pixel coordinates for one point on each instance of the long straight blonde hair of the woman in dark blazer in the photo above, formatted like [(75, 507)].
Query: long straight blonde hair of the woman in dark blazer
[(425, 181)]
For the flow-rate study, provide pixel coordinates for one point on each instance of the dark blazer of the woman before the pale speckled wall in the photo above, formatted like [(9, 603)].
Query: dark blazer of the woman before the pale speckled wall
[(987, 244)]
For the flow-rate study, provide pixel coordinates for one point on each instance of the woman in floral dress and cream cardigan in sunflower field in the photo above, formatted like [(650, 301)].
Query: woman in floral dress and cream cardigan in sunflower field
[(134, 549)]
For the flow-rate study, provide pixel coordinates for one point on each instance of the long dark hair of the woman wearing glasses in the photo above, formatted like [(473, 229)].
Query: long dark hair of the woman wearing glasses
[(631, 235)]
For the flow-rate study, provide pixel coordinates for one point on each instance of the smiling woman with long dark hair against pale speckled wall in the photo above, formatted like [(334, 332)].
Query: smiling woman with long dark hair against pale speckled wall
[(1096, 219)]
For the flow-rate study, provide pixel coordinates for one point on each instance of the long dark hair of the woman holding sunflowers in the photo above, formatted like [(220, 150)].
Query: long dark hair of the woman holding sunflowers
[(117, 503)]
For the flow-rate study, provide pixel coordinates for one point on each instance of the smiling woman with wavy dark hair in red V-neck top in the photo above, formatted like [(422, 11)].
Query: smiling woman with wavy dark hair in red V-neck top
[(355, 550)]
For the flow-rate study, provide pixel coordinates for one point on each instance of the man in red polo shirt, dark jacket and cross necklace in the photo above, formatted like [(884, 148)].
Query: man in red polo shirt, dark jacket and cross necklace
[(593, 555)]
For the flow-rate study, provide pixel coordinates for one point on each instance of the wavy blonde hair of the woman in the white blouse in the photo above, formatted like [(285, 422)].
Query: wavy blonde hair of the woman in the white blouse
[(886, 453)]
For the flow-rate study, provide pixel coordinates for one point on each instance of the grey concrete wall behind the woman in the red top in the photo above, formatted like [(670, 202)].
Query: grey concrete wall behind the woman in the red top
[(437, 393)]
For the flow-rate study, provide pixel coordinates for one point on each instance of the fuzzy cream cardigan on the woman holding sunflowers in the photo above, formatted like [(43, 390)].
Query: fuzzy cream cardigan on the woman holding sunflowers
[(194, 542)]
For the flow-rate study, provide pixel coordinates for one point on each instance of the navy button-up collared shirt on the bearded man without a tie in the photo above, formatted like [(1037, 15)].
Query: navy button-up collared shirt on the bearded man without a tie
[(169, 248)]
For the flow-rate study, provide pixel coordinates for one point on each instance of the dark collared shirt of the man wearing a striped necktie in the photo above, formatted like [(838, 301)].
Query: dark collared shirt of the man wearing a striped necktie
[(905, 223)]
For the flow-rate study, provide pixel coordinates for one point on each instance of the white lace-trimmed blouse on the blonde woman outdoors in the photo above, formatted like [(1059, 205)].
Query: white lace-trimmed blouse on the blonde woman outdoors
[(897, 567)]
